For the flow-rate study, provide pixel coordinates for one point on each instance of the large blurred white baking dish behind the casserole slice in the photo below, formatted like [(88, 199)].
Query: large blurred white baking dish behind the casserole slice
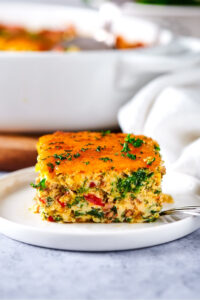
[(71, 91)]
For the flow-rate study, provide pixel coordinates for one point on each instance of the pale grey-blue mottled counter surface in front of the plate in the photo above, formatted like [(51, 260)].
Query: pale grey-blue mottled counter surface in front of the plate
[(170, 271)]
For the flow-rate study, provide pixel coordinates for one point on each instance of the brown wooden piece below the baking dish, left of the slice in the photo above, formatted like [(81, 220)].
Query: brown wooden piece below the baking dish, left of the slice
[(17, 152)]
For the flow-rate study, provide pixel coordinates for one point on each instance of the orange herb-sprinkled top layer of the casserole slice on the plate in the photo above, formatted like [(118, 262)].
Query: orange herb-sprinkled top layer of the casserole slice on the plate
[(91, 152)]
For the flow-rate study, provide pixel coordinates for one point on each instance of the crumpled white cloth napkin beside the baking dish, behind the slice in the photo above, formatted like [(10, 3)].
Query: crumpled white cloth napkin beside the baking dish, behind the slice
[(168, 110)]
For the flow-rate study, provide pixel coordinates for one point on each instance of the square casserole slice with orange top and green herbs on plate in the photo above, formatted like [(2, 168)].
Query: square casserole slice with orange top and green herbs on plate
[(98, 177)]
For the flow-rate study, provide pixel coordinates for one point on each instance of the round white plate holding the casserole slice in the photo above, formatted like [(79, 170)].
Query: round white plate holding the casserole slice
[(18, 222)]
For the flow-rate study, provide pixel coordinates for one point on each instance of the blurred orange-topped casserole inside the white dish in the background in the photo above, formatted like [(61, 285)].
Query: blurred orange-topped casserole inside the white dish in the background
[(18, 38)]
